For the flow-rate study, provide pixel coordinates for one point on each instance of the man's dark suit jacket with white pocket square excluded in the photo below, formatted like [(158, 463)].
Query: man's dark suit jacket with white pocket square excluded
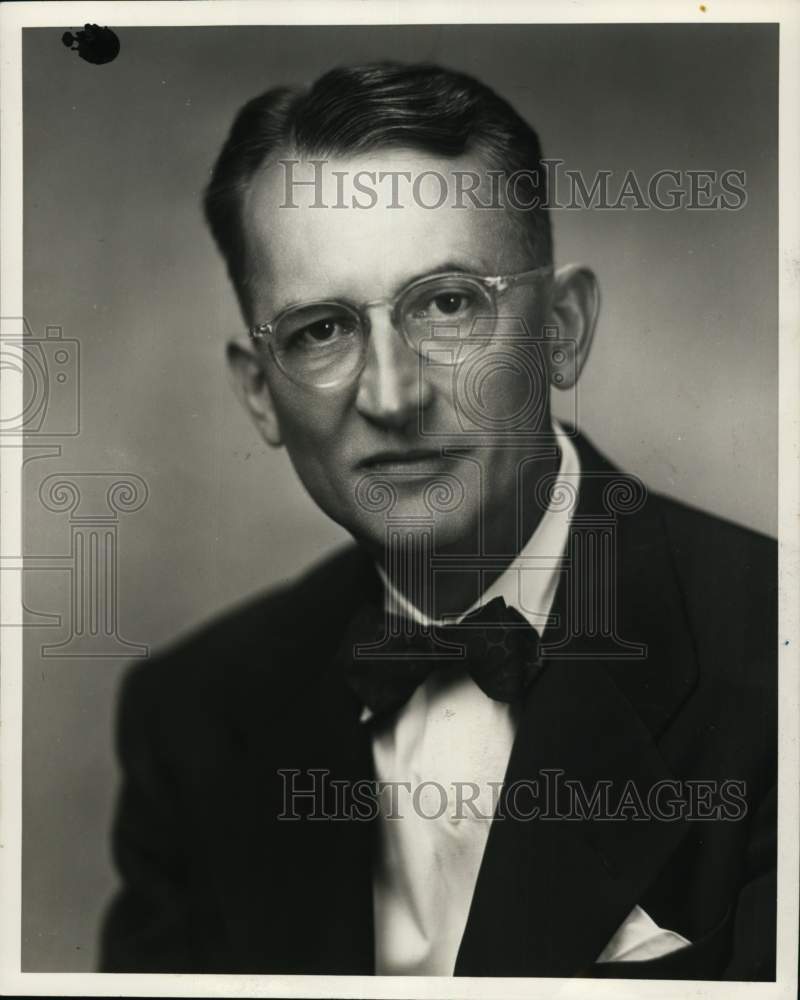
[(213, 882)]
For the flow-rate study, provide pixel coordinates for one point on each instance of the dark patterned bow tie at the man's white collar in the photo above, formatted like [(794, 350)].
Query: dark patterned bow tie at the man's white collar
[(495, 644)]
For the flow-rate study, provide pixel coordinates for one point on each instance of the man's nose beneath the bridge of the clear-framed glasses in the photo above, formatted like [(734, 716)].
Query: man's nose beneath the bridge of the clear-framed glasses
[(392, 388)]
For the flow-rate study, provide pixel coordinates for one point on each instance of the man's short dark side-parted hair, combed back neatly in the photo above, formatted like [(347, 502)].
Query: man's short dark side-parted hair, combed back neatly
[(358, 109)]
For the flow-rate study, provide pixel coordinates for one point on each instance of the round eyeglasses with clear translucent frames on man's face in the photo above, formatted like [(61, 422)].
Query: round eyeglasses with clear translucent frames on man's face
[(324, 344)]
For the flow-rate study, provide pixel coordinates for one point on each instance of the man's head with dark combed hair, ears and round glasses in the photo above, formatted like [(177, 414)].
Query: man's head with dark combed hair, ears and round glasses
[(289, 210)]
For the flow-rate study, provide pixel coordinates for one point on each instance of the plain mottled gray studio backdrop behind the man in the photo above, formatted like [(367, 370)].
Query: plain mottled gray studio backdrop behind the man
[(681, 388)]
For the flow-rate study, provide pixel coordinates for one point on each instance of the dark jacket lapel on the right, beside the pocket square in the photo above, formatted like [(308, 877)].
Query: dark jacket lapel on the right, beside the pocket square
[(551, 892)]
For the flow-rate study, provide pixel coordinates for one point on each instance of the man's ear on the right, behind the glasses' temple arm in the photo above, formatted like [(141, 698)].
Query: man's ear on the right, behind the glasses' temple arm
[(574, 310)]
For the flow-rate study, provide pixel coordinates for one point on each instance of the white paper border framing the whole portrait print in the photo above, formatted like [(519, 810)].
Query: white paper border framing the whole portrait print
[(13, 18)]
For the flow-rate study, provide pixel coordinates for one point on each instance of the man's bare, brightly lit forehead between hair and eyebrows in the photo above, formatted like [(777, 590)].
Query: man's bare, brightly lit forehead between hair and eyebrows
[(362, 226)]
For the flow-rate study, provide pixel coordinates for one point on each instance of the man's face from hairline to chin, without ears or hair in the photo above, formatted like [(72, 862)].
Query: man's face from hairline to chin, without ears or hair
[(392, 421)]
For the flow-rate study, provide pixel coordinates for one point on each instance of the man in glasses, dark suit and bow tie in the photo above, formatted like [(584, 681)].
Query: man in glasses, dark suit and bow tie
[(560, 689)]
